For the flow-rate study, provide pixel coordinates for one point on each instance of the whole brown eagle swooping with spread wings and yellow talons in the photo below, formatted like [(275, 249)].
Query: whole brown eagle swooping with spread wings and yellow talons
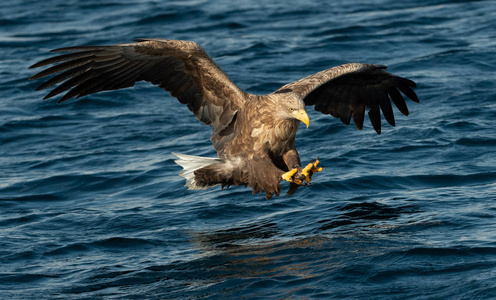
[(254, 135)]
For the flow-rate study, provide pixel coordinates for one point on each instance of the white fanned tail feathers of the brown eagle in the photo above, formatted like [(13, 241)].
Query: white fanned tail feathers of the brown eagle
[(192, 163)]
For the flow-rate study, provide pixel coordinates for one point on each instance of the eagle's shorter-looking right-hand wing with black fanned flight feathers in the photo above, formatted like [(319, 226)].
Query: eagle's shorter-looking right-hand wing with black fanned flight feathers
[(346, 91)]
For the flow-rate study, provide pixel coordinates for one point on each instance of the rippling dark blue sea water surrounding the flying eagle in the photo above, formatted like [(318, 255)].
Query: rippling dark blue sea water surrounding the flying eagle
[(92, 206)]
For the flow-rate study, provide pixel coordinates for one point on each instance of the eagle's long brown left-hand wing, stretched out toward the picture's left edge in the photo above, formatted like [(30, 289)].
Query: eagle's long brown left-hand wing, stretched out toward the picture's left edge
[(182, 68)]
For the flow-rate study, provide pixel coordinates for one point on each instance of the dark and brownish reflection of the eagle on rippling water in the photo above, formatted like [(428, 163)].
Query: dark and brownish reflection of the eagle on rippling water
[(259, 250)]
